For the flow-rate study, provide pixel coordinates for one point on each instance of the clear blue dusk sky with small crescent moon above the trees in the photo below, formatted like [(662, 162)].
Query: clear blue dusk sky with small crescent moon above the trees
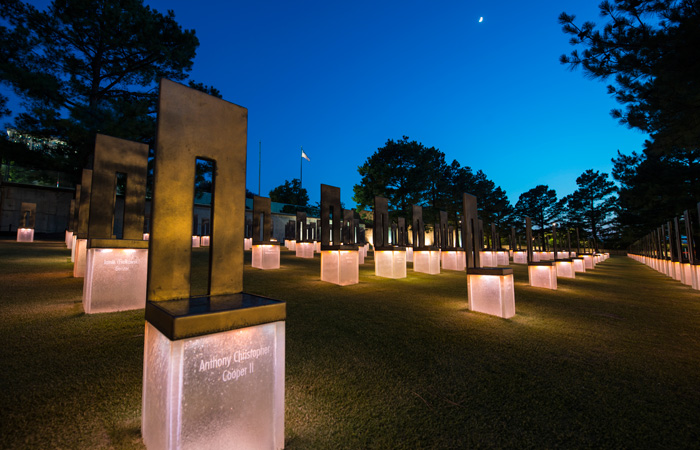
[(340, 78)]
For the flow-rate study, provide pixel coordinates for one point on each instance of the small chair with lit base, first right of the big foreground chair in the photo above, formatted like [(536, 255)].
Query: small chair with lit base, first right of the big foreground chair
[(266, 252)]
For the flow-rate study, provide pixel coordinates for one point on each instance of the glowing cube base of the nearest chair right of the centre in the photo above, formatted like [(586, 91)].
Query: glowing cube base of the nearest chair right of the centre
[(491, 291)]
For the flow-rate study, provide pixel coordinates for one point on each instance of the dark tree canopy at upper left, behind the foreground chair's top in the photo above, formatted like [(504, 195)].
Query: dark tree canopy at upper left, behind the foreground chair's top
[(83, 67)]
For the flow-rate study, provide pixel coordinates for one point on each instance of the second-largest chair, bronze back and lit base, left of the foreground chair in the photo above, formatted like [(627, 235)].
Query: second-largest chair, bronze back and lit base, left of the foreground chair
[(116, 269)]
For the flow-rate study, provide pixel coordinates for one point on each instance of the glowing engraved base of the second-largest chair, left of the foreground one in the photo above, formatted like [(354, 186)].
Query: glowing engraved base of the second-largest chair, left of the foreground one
[(115, 280)]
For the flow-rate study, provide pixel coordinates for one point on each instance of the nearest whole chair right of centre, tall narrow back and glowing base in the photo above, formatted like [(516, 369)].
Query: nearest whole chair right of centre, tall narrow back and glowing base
[(490, 290)]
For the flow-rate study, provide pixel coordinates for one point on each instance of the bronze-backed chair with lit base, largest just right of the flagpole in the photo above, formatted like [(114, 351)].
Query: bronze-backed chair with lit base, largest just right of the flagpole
[(340, 262)]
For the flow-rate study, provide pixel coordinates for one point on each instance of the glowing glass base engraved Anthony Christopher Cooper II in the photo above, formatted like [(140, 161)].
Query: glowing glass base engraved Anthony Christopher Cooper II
[(218, 391)]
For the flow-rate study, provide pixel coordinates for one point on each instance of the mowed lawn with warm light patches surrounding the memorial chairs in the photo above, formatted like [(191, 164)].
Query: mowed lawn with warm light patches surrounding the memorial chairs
[(610, 359)]
